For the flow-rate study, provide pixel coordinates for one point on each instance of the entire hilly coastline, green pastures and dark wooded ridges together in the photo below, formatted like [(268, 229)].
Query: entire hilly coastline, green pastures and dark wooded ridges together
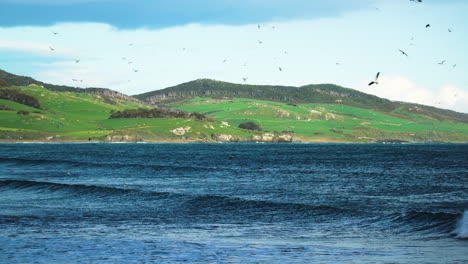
[(210, 111)]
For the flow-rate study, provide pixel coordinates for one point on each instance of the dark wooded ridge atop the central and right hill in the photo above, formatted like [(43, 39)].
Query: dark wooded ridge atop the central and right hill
[(310, 94)]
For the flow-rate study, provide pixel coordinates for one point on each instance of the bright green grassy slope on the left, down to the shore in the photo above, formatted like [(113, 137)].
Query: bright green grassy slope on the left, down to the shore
[(70, 116)]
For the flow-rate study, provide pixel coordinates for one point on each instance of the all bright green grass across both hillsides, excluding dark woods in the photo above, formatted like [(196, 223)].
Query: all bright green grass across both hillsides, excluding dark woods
[(70, 116)]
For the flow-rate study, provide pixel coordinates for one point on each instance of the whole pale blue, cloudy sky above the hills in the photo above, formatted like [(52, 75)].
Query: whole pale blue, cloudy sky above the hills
[(145, 45)]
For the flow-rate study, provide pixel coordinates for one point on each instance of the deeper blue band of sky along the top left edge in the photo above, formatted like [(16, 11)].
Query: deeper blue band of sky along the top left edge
[(164, 13)]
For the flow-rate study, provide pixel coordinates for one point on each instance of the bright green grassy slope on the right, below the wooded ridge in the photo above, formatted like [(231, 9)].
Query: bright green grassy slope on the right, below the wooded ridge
[(330, 122)]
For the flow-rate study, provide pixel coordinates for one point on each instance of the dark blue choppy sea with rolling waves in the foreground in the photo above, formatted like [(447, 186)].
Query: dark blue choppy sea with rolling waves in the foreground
[(233, 203)]
